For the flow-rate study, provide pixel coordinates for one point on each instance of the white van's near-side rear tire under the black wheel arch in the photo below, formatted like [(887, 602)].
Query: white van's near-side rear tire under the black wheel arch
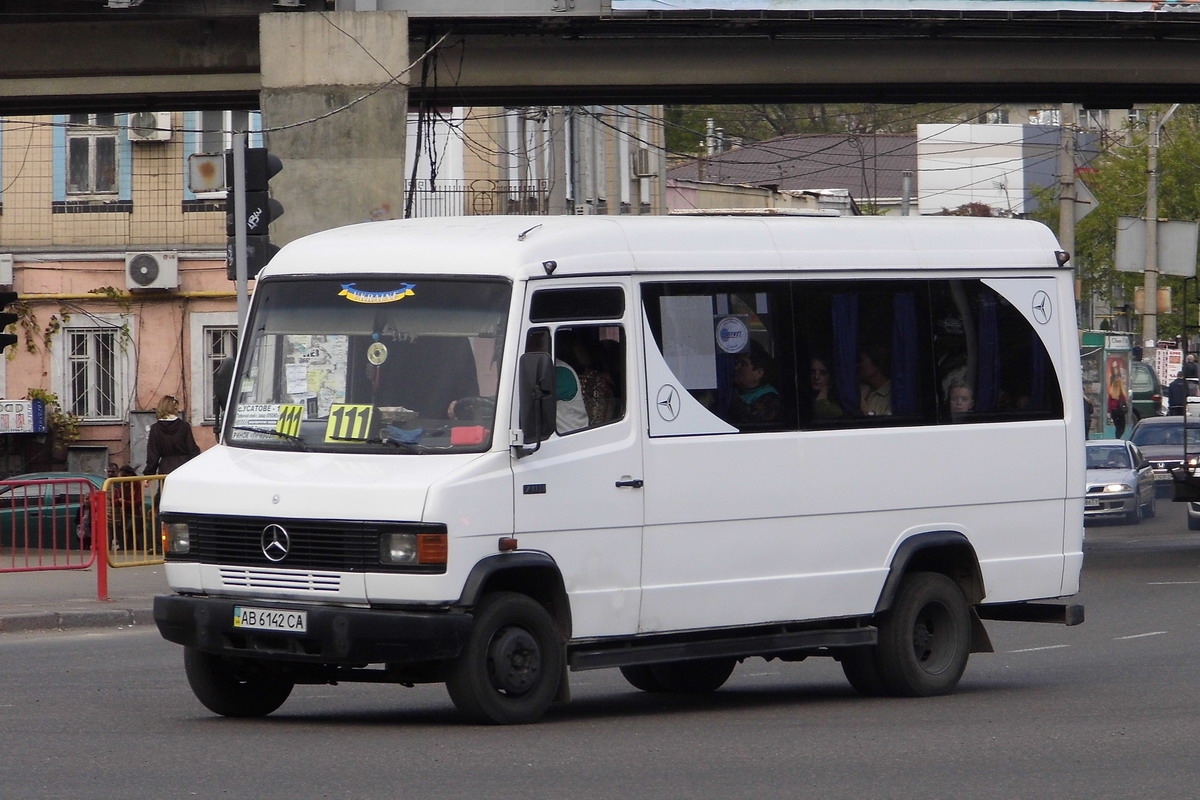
[(925, 639)]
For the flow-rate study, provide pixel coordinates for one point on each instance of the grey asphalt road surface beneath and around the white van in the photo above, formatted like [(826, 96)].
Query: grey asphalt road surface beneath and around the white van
[(1108, 709)]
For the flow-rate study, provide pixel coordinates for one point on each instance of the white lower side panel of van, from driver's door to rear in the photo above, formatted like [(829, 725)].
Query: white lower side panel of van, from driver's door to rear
[(754, 528)]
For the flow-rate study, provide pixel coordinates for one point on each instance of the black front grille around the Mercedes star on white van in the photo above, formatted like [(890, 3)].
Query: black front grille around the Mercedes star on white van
[(335, 545)]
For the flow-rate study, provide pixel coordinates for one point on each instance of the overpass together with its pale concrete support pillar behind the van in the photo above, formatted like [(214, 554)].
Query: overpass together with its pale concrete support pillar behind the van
[(333, 79)]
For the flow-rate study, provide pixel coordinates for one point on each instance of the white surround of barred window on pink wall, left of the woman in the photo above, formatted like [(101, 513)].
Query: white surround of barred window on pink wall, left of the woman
[(124, 363)]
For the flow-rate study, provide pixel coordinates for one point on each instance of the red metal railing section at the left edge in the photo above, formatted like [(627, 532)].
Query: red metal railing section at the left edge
[(47, 525)]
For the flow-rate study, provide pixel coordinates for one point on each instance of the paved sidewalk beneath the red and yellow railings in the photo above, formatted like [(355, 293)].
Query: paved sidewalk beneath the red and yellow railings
[(67, 599)]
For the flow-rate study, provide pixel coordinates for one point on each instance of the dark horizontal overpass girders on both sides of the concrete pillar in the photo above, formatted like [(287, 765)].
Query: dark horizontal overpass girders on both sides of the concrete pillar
[(146, 55)]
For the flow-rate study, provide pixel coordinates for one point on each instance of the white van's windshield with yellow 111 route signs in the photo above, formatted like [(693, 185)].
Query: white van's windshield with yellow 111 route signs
[(373, 365)]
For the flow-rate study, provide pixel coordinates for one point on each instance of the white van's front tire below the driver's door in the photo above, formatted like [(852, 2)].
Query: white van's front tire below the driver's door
[(511, 670)]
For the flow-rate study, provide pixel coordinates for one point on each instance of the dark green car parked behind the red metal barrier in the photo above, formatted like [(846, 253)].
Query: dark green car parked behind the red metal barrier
[(44, 510)]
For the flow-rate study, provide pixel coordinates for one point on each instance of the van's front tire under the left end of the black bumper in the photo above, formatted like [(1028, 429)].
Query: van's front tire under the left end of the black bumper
[(236, 688)]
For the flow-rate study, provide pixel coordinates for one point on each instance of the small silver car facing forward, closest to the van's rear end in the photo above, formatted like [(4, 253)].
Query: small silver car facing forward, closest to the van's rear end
[(1120, 482)]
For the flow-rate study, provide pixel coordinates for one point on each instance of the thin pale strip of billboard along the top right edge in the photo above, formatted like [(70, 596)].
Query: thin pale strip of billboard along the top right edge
[(1091, 7)]
